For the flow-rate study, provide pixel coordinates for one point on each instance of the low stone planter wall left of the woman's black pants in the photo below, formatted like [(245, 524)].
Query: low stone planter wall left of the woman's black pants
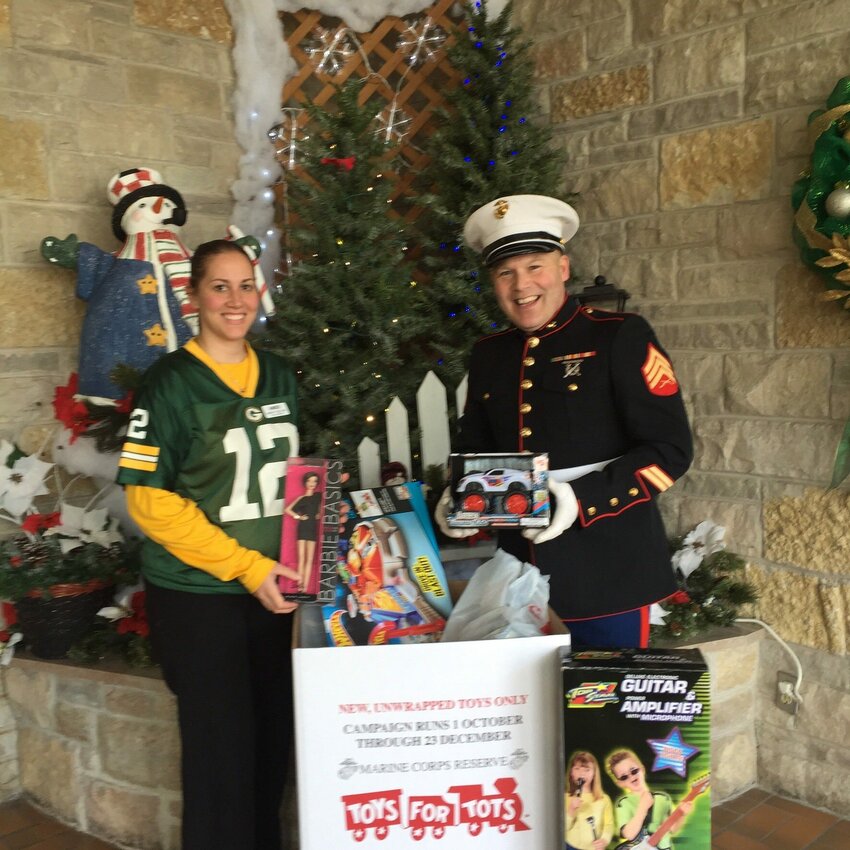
[(99, 750)]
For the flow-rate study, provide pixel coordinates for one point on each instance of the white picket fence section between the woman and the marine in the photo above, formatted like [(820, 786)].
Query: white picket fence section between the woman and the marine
[(434, 437)]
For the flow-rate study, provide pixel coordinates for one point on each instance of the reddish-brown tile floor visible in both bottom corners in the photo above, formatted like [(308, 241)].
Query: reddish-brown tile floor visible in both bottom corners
[(757, 820)]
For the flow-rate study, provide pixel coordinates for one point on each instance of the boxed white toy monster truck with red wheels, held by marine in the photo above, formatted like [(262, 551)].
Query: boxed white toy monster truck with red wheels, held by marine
[(499, 490)]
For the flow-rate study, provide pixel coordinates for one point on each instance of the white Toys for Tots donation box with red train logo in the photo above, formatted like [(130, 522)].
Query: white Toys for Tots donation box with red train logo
[(400, 746)]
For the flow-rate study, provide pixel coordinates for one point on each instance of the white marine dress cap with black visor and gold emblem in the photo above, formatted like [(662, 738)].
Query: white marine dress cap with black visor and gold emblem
[(520, 224)]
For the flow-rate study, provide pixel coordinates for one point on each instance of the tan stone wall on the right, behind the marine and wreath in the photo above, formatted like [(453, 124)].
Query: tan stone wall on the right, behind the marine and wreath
[(684, 126)]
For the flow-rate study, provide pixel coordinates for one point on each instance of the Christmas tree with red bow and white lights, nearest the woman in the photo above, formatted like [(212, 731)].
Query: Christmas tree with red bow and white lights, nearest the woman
[(351, 316)]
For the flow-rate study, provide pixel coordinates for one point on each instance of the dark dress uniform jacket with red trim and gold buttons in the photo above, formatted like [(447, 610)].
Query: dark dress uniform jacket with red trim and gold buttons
[(588, 387)]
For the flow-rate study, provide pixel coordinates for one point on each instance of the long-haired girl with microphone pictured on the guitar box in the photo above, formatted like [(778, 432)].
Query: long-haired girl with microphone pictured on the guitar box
[(587, 809)]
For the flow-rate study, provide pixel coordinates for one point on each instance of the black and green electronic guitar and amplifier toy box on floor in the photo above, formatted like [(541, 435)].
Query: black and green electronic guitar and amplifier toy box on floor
[(641, 719)]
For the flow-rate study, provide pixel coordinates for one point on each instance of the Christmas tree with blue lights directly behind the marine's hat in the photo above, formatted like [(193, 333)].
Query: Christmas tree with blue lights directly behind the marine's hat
[(486, 146)]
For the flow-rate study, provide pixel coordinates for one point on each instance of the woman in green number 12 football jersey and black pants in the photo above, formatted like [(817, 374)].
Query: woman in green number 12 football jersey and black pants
[(203, 461)]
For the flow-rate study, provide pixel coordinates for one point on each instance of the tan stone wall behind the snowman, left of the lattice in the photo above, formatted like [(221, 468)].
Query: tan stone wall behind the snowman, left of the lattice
[(87, 89)]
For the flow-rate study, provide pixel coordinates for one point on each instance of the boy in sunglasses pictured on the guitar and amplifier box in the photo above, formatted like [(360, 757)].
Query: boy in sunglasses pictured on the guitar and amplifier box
[(641, 812)]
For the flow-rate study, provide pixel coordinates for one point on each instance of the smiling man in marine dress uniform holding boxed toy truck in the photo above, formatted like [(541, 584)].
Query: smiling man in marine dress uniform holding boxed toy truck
[(594, 389)]
